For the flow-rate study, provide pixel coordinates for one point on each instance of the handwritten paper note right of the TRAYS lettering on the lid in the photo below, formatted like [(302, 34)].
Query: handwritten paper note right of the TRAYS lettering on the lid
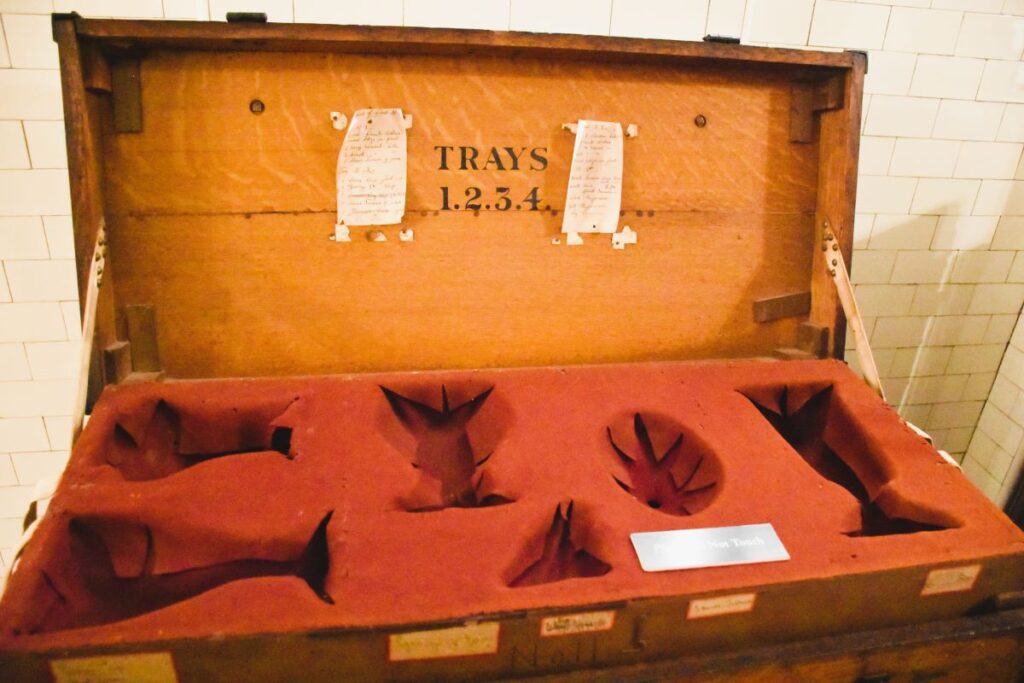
[(595, 190)]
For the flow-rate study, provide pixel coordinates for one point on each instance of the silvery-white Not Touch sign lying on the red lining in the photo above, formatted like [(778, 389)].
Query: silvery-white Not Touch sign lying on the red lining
[(689, 549)]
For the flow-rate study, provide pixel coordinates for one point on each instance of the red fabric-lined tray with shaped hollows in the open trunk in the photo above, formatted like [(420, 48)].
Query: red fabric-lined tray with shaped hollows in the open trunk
[(522, 500)]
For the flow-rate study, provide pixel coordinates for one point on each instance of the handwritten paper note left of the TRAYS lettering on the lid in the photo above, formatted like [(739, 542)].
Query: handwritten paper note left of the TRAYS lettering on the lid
[(372, 169)]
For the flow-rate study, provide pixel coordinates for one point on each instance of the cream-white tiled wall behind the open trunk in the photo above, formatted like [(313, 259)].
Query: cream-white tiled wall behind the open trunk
[(940, 268)]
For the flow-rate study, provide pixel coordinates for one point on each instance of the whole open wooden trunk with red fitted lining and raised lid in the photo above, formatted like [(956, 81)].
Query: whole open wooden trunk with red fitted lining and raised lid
[(240, 434)]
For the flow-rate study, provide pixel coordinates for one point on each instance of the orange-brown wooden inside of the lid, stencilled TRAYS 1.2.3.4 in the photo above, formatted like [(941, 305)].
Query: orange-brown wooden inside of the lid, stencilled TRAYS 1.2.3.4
[(219, 220)]
